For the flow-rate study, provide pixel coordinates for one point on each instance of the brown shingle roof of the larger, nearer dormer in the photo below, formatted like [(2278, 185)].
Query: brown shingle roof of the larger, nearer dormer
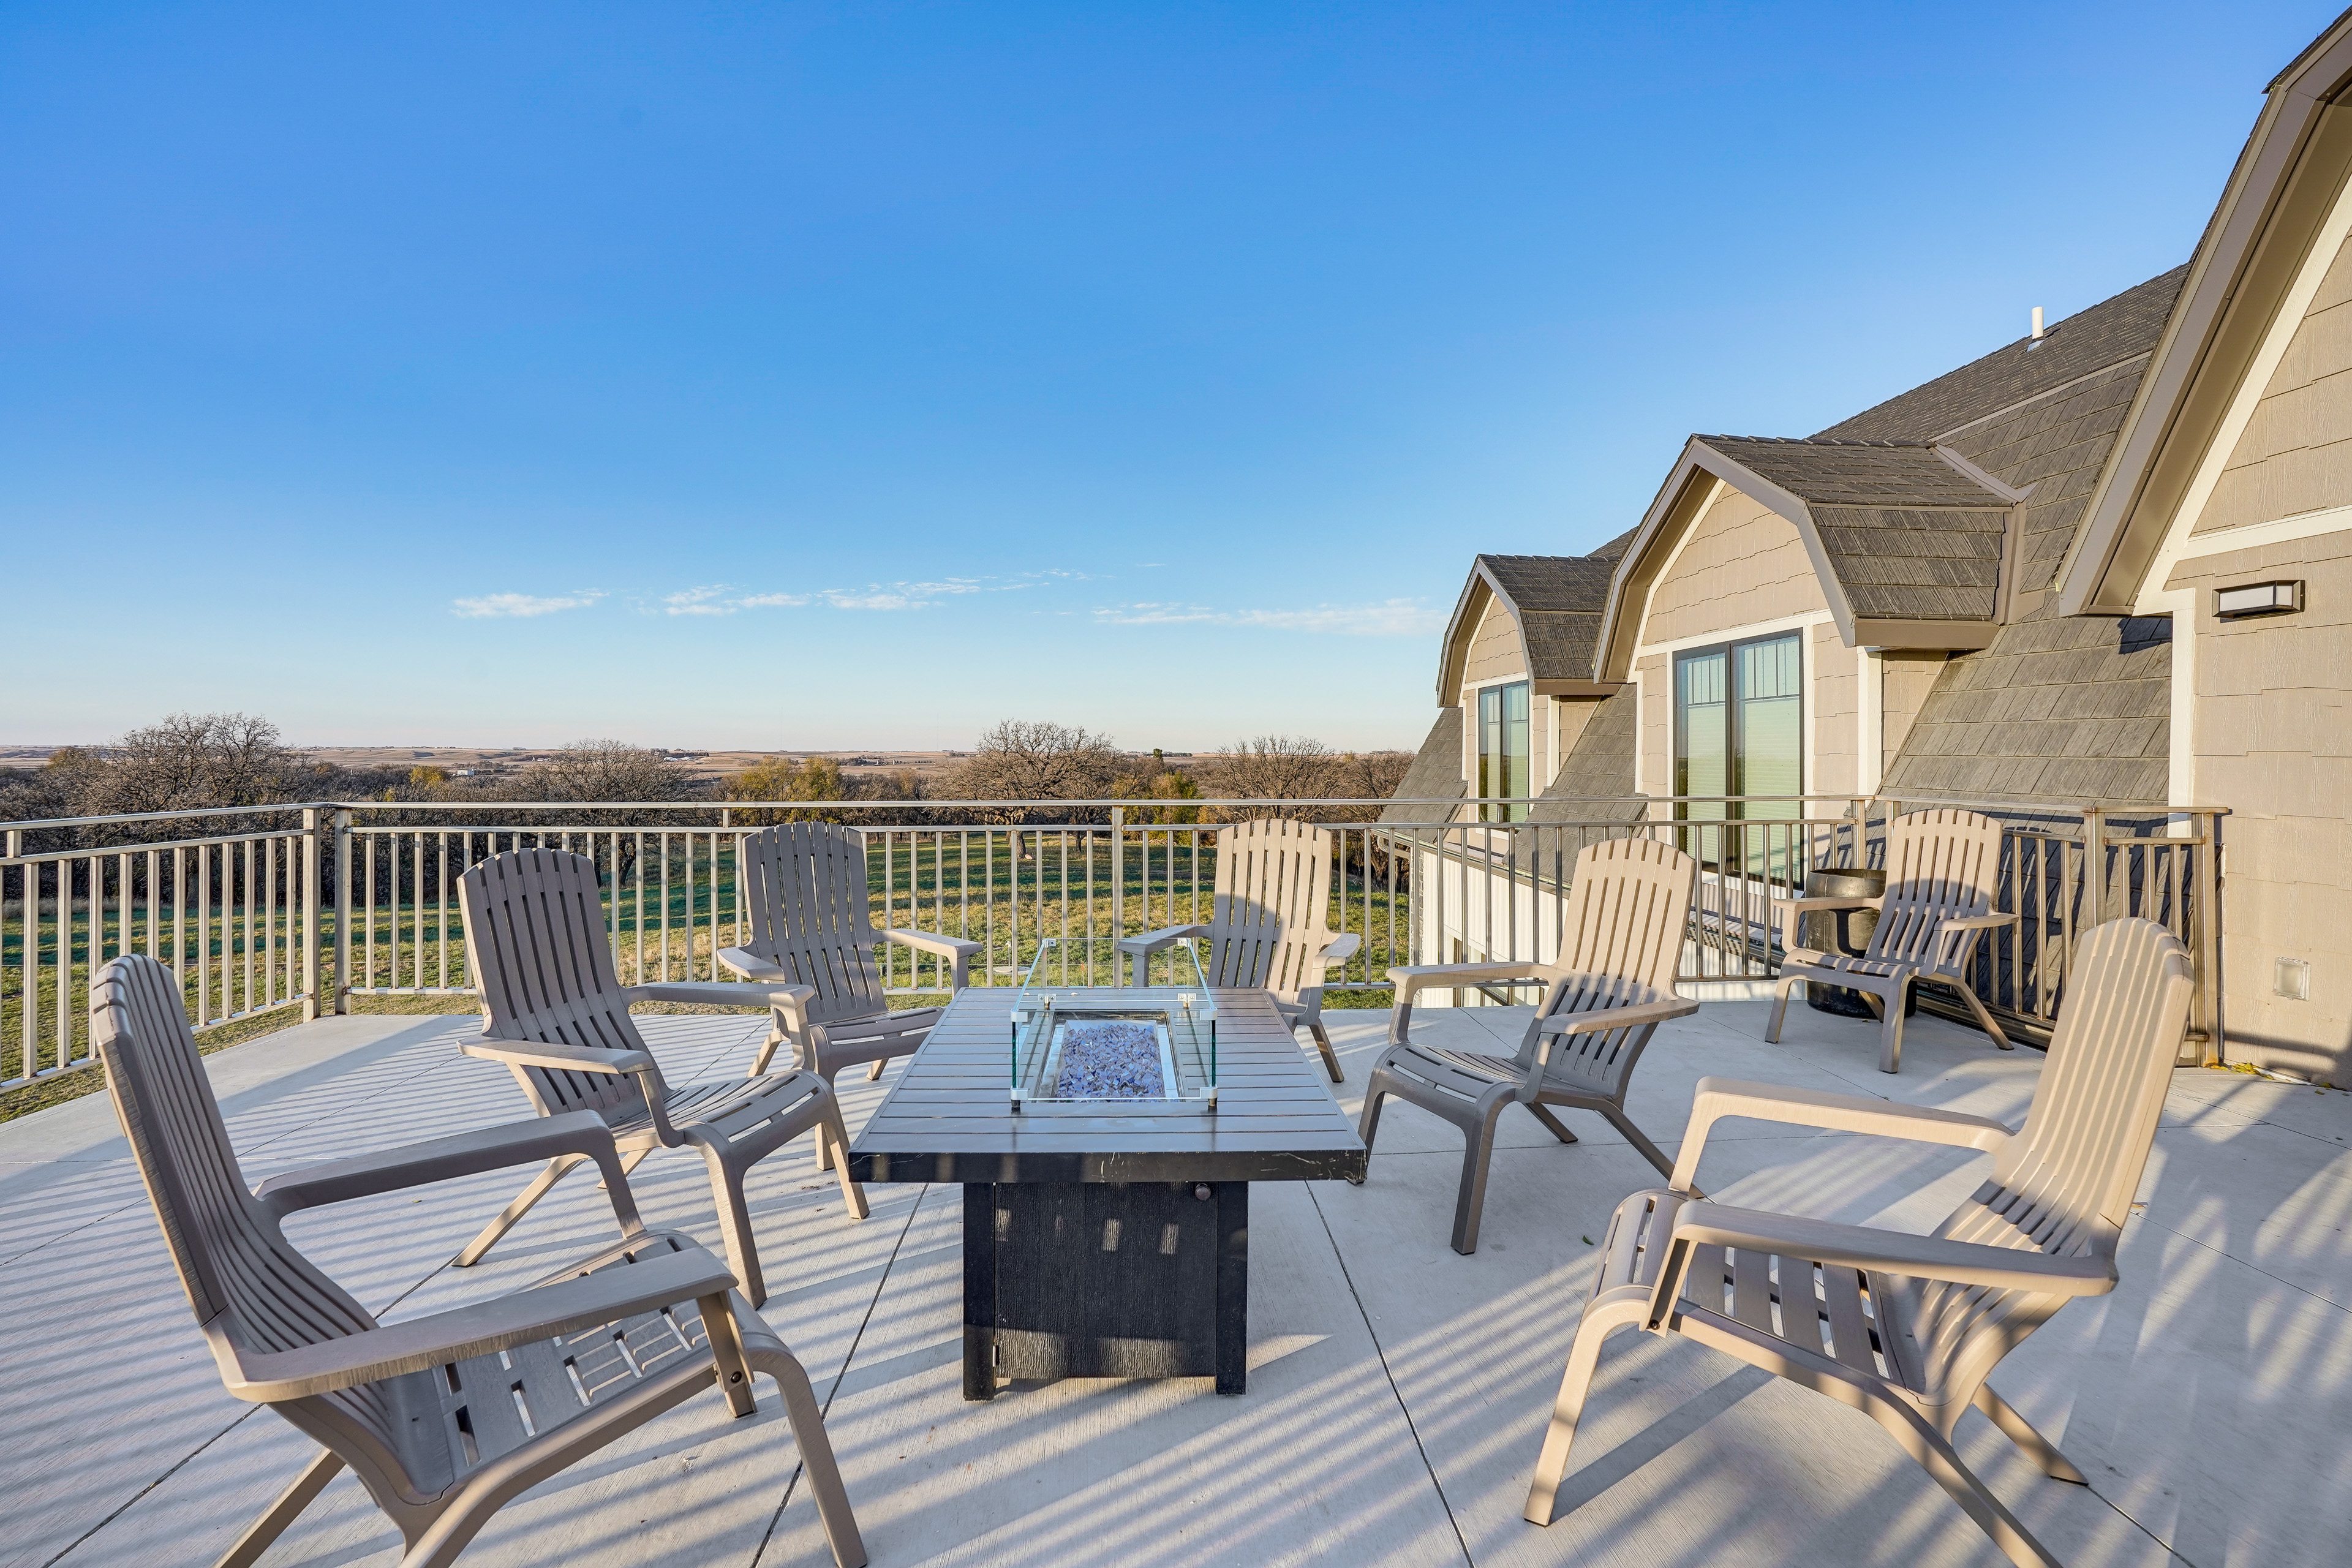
[(1909, 535)]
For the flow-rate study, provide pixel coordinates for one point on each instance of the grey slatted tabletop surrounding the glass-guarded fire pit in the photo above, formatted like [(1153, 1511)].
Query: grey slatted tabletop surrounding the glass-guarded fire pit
[(949, 1120)]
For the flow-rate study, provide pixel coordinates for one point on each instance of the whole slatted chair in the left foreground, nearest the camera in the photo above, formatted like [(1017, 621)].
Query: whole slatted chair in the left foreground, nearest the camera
[(448, 1416)]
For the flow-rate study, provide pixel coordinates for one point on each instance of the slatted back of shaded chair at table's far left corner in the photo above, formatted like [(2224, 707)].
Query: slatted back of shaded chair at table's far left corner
[(810, 916)]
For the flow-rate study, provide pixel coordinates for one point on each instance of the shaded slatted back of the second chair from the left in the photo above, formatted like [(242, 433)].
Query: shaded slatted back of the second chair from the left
[(540, 958)]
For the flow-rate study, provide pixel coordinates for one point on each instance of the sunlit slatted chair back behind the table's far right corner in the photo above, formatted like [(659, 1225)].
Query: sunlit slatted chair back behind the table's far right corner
[(1274, 906)]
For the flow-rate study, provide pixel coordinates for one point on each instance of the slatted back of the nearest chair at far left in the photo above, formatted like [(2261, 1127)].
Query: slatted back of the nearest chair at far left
[(241, 1275)]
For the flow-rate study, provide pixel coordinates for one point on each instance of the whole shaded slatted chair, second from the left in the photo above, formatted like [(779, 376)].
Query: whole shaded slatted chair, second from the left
[(559, 1019)]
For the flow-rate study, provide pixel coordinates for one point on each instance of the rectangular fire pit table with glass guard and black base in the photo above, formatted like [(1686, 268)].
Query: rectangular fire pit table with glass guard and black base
[(1107, 1139)]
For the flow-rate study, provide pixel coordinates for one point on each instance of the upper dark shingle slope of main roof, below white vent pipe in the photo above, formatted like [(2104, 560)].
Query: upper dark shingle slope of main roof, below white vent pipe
[(2078, 347)]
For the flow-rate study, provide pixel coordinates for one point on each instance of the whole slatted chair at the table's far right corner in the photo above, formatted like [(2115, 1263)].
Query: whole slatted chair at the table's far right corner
[(1269, 923)]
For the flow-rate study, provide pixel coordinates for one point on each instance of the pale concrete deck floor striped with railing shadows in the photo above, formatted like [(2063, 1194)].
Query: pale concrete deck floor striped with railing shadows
[(1398, 1391)]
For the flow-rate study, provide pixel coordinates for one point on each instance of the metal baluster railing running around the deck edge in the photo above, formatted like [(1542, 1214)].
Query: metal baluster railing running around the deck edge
[(361, 897)]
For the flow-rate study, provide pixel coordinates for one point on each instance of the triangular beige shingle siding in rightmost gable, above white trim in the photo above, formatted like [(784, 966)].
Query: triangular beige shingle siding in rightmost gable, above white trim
[(2297, 453)]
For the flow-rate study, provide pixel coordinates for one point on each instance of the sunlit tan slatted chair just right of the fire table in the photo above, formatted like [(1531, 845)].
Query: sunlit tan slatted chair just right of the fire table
[(1622, 939)]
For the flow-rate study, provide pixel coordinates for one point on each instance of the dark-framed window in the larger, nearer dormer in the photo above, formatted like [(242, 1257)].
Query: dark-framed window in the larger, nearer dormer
[(1739, 725)]
